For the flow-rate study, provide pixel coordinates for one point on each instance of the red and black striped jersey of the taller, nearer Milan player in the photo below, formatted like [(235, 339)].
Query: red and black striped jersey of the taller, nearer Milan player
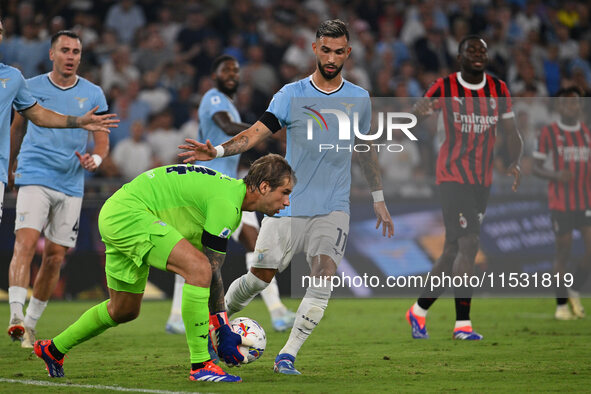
[(470, 113)]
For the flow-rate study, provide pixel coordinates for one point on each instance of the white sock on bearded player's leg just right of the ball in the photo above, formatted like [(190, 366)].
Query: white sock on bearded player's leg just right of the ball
[(308, 316)]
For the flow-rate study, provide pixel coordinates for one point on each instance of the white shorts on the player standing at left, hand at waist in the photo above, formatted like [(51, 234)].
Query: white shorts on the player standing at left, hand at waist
[(49, 211)]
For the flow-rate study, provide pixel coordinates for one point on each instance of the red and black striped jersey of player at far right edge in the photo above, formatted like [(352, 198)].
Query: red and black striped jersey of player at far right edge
[(567, 148)]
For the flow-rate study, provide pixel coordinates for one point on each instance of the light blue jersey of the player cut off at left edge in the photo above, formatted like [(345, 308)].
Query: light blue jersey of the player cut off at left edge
[(13, 92)]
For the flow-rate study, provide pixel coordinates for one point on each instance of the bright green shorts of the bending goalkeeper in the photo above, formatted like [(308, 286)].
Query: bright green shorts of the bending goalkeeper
[(134, 240)]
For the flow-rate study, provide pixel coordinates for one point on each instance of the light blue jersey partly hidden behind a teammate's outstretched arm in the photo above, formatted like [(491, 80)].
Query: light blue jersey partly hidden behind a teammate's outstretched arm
[(47, 156)]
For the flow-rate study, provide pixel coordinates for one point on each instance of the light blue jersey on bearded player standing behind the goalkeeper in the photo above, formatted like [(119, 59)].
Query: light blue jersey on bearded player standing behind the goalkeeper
[(321, 129)]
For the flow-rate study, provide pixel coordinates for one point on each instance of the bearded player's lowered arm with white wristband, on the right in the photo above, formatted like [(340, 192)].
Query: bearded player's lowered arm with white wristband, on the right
[(371, 170)]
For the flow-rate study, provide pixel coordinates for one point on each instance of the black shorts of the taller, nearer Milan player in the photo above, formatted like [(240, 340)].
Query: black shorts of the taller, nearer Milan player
[(463, 208)]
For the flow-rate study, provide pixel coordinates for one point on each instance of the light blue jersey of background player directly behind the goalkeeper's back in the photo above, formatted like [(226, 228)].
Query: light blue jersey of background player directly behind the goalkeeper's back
[(212, 102)]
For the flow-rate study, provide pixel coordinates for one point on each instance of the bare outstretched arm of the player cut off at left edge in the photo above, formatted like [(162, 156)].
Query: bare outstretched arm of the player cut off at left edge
[(44, 117)]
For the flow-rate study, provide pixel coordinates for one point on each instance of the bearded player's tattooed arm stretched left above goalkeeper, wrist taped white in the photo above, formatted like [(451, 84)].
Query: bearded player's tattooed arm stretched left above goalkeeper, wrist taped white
[(240, 143)]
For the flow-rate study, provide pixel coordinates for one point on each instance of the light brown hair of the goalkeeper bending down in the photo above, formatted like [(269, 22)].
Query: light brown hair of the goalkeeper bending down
[(271, 168)]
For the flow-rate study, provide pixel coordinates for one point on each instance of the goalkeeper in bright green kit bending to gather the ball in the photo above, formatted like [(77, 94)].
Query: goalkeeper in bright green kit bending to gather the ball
[(176, 218)]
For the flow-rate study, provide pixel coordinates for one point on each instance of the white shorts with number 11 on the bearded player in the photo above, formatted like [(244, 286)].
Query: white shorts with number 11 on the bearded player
[(283, 237)]
